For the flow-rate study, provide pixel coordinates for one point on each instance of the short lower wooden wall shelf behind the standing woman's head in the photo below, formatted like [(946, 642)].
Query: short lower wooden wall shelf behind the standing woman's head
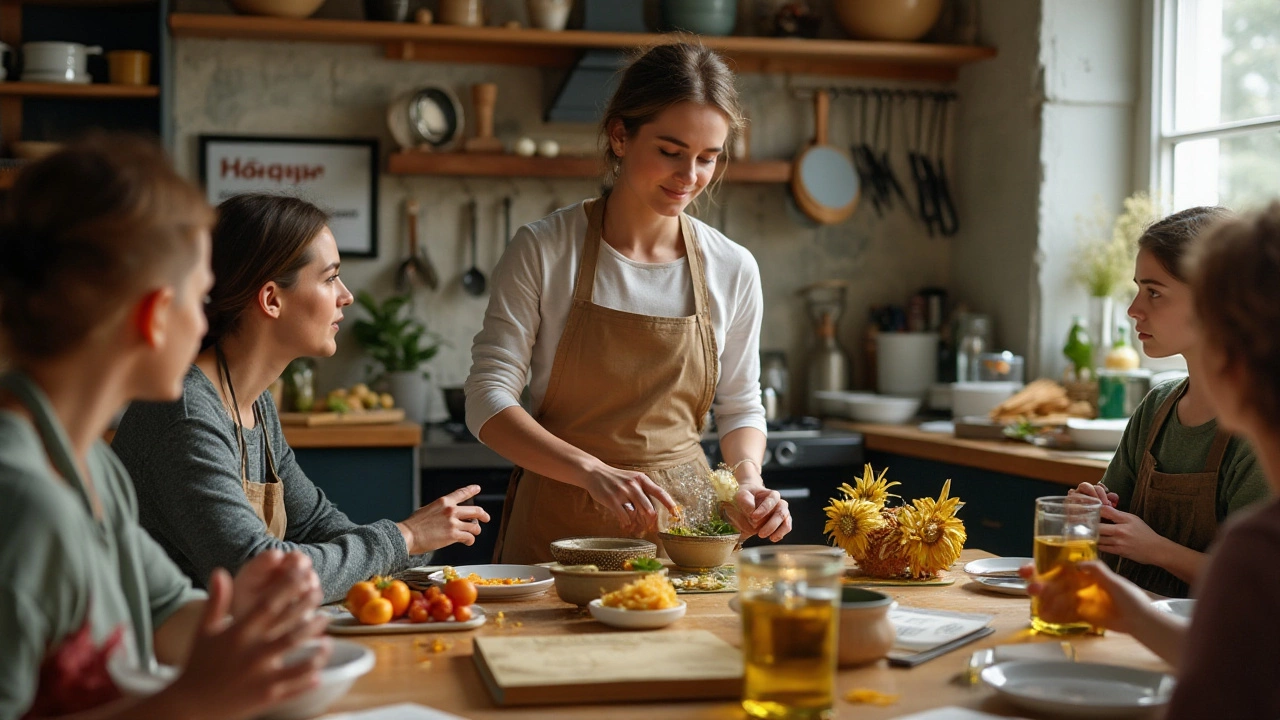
[(478, 165)]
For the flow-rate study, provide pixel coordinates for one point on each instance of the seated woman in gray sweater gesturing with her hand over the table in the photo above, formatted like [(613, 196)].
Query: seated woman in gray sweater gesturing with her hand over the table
[(216, 480)]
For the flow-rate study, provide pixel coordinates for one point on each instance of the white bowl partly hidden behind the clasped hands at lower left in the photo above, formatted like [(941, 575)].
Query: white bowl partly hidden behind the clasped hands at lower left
[(348, 663)]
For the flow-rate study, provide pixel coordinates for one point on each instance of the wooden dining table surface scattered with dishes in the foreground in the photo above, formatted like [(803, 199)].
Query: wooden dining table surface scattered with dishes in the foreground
[(450, 681)]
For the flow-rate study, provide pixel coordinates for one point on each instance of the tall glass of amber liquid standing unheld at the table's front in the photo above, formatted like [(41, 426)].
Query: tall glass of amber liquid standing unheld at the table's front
[(790, 601)]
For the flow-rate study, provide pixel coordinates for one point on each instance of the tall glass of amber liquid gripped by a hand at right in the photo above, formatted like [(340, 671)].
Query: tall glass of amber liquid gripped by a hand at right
[(1067, 534)]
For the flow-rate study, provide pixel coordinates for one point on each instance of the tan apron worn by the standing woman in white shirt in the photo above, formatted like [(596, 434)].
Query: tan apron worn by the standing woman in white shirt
[(632, 390)]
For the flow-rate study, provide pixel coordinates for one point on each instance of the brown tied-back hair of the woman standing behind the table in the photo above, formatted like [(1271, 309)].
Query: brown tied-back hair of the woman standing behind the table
[(665, 76)]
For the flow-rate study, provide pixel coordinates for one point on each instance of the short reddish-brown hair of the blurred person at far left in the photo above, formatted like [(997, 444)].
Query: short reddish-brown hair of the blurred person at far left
[(85, 233)]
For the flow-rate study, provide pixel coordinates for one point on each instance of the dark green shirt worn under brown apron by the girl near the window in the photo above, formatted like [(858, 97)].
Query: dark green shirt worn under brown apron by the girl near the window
[(1180, 449)]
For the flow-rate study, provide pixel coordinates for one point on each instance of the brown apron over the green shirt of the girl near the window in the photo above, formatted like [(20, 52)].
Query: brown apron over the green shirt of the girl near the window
[(1181, 507)]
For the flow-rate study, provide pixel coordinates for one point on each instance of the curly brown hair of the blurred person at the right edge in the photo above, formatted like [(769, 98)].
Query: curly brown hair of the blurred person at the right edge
[(1233, 272)]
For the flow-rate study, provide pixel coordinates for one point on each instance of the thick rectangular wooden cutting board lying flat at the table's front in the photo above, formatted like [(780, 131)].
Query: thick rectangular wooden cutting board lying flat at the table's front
[(609, 668)]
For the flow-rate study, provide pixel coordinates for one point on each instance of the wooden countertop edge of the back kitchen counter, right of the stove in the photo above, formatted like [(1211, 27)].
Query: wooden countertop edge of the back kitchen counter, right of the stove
[(1002, 457)]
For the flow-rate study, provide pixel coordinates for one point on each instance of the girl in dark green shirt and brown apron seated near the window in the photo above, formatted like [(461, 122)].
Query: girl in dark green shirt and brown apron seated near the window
[(1177, 475)]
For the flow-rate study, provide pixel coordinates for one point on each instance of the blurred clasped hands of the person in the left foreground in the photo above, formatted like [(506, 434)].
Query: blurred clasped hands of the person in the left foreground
[(236, 668)]
